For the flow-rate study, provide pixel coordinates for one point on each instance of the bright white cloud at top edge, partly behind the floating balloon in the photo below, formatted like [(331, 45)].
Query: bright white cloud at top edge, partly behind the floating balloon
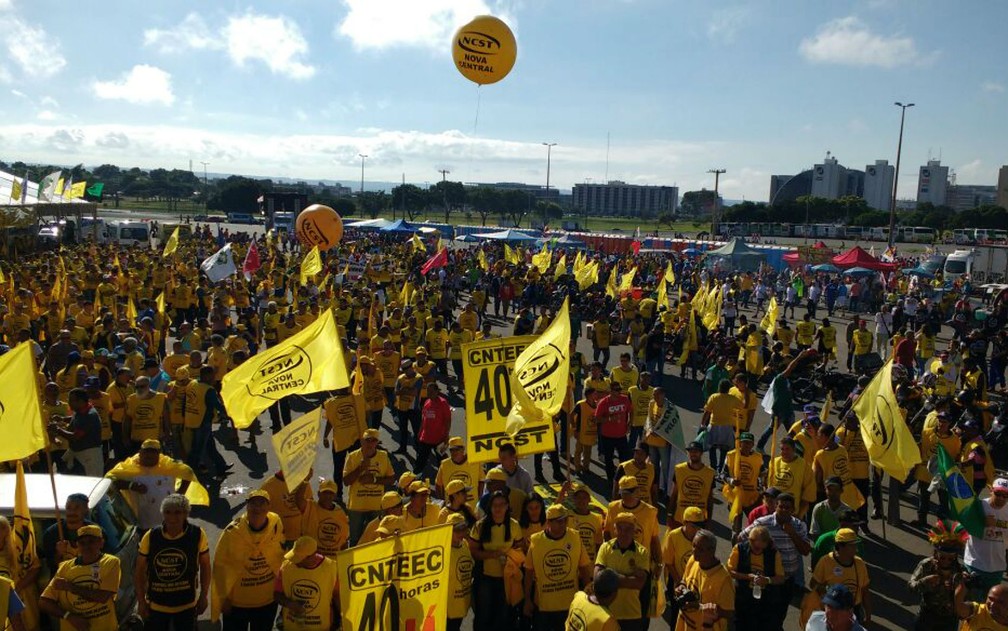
[(379, 25)]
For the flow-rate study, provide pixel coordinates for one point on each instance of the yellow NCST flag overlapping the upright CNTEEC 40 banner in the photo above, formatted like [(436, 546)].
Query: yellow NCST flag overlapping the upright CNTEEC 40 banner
[(541, 374)]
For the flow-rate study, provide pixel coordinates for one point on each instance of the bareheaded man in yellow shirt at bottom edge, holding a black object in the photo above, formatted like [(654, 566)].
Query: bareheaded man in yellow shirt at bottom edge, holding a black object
[(709, 580)]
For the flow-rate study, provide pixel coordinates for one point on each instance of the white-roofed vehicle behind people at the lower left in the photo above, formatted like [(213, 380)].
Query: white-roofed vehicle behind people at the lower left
[(108, 510)]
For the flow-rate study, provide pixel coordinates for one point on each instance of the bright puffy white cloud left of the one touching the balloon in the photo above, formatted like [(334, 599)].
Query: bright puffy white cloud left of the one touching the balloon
[(277, 42)]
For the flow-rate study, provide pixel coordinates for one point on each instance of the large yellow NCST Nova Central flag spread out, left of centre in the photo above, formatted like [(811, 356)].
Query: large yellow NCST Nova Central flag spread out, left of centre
[(310, 361)]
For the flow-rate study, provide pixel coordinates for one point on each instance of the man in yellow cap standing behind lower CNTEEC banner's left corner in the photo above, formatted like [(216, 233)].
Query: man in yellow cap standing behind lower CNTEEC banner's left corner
[(367, 472)]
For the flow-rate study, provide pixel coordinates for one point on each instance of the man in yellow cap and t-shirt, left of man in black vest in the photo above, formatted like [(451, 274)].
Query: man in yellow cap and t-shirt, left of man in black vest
[(82, 595)]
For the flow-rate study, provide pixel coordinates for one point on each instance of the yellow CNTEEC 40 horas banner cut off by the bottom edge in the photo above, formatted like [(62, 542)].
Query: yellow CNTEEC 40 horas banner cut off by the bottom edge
[(398, 584)]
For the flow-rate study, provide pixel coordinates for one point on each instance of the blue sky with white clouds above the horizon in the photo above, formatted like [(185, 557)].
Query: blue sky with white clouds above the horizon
[(652, 92)]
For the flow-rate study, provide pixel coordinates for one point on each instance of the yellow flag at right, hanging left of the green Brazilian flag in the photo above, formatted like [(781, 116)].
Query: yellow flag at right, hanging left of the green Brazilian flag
[(890, 442)]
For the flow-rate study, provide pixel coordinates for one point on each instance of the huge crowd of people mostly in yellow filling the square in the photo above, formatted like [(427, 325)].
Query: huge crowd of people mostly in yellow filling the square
[(133, 348)]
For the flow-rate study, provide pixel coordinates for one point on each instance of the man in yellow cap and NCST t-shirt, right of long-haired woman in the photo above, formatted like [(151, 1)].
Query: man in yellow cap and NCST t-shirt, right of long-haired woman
[(558, 567)]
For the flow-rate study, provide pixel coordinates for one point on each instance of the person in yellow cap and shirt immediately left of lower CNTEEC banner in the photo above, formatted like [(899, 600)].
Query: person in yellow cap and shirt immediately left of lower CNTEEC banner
[(306, 566)]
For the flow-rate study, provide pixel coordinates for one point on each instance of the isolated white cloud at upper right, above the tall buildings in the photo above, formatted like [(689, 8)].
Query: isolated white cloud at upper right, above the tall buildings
[(850, 42)]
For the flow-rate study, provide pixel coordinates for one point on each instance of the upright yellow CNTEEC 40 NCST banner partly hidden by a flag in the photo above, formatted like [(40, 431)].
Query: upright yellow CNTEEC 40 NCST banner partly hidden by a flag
[(487, 367)]
